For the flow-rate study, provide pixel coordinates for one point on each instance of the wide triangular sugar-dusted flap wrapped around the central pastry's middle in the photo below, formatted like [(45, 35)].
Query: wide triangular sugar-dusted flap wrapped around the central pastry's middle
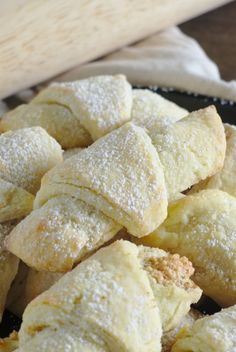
[(120, 174)]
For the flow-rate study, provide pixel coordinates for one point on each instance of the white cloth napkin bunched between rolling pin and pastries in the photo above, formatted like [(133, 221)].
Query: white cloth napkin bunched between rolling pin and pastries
[(166, 59)]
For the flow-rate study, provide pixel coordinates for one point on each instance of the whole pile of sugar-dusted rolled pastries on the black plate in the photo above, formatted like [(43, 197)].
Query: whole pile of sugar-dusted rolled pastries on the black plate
[(117, 213)]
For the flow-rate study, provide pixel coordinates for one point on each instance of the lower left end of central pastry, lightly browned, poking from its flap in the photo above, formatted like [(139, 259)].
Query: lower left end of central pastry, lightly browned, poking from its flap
[(58, 235)]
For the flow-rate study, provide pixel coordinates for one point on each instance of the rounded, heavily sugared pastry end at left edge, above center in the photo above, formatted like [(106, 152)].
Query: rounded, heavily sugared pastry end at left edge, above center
[(25, 156)]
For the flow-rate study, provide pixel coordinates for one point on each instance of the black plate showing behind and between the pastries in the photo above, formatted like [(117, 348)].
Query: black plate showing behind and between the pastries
[(189, 101)]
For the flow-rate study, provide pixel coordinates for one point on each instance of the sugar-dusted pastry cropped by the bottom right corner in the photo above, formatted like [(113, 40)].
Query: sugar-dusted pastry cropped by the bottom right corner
[(215, 333)]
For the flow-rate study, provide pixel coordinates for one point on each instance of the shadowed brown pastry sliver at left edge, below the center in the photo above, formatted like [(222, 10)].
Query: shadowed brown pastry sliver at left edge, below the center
[(8, 266)]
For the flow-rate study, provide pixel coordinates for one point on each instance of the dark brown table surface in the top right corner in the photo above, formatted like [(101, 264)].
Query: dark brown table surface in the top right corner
[(216, 33)]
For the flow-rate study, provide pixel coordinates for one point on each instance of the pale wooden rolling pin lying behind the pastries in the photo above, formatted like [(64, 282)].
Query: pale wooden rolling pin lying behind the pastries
[(42, 38)]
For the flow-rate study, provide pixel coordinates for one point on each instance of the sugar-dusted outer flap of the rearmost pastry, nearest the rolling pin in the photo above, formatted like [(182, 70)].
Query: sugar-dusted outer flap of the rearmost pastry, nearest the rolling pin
[(101, 103)]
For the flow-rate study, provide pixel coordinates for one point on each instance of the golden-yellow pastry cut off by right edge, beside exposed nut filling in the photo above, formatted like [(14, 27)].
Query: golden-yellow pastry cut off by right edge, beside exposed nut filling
[(202, 227)]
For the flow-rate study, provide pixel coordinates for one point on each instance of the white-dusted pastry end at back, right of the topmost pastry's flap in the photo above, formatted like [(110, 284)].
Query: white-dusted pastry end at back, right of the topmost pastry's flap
[(152, 111)]
